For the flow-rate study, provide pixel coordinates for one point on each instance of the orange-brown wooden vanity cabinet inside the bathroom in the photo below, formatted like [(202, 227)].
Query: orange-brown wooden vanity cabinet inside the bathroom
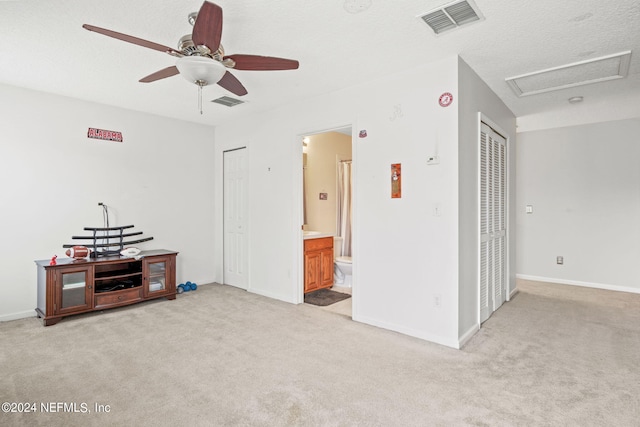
[(318, 263)]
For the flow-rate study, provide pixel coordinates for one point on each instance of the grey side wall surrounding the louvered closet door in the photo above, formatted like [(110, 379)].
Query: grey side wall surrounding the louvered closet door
[(475, 97)]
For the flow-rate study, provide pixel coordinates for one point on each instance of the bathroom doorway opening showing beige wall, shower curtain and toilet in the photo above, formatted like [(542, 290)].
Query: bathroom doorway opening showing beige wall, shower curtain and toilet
[(327, 198)]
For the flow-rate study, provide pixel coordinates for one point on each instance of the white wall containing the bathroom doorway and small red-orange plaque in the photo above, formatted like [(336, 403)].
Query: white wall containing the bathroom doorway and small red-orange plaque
[(405, 257)]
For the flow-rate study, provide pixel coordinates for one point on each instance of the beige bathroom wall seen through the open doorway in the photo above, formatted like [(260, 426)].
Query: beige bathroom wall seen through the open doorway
[(323, 151)]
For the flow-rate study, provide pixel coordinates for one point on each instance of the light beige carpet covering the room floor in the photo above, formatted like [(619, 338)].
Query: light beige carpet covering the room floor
[(554, 356)]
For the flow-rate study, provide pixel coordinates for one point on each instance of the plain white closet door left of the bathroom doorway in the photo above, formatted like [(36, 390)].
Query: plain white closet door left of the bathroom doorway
[(235, 218)]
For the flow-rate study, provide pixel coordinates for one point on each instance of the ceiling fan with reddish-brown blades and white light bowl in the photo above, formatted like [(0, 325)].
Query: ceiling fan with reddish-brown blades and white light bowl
[(201, 58)]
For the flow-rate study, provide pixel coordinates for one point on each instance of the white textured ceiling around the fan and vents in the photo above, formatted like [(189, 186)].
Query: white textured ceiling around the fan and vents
[(44, 47)]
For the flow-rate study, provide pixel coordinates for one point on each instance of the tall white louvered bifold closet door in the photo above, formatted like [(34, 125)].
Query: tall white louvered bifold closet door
[(492, 221)]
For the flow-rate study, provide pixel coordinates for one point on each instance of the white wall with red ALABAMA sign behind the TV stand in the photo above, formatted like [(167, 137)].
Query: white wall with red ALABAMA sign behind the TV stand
[(159, 179)]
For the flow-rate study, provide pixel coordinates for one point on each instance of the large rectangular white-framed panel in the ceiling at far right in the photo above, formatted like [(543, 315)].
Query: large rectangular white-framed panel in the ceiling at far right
[(595, 70)]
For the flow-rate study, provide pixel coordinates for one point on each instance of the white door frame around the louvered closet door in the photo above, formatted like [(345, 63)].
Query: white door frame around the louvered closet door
[(507, 247)]
